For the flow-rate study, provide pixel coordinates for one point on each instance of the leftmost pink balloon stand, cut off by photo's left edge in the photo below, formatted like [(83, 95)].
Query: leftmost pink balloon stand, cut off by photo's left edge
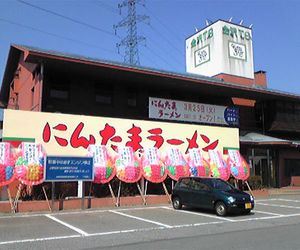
[(7, 163)]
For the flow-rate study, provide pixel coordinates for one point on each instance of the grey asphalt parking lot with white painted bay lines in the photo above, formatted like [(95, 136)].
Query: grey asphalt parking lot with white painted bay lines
[(95, 229)]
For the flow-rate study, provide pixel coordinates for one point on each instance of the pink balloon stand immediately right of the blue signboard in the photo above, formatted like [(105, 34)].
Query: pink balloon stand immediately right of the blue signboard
[(104, 170)]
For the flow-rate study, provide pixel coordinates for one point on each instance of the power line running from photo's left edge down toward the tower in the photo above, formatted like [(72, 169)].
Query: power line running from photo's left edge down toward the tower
[(56, 35)]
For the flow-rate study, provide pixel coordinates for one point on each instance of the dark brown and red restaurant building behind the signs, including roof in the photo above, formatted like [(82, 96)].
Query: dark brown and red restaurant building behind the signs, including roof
[(45, 81)]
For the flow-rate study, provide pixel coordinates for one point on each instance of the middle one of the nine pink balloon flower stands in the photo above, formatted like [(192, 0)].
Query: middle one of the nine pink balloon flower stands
[(152, 166)]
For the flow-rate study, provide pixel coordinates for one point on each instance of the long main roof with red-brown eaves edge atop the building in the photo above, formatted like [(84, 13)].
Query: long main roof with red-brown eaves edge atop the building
[(204, 84)]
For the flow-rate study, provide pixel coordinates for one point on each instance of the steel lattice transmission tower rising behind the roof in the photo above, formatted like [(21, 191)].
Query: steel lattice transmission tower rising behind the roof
[(132, 40)]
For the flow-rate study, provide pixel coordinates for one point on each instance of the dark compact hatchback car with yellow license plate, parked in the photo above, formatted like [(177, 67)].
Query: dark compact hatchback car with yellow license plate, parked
[(211, 193)]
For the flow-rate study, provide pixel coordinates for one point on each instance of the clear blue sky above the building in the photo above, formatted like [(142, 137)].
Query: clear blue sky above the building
[(85, 27)]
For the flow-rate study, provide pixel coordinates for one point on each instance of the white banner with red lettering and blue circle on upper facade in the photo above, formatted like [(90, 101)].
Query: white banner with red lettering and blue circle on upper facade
[(193, 112)]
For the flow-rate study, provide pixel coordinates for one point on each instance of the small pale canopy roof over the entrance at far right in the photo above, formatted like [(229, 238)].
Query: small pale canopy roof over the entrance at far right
[(260, 139)]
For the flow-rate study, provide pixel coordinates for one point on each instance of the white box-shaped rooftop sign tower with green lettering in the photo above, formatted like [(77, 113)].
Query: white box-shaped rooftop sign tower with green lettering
[(221, 48)]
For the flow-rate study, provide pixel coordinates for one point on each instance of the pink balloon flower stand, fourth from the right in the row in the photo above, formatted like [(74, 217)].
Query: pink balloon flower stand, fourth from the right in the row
[(176, 164)]
